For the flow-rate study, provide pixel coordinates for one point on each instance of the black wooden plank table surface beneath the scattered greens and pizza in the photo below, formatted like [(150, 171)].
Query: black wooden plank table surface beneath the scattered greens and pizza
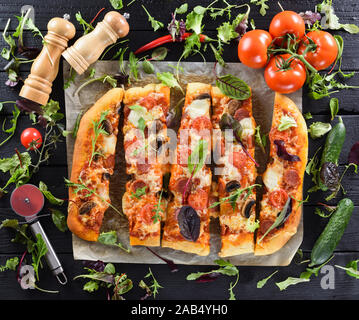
[(175, 285)]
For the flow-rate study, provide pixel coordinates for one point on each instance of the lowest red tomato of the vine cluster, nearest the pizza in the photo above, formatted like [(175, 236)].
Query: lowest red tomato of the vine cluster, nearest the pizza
[(287, 79)]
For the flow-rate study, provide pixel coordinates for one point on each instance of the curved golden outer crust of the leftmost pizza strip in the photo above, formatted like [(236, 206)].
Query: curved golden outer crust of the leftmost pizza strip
[(82, 150)]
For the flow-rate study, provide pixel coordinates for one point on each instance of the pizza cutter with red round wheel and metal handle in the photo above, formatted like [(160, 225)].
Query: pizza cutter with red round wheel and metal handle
[(27, 201)]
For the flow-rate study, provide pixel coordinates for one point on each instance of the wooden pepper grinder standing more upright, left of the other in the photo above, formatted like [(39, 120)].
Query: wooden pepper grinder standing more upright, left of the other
[(38, 85)]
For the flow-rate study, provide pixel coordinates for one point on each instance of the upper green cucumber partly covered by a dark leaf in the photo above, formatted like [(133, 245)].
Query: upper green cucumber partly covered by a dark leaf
[(332, 148)]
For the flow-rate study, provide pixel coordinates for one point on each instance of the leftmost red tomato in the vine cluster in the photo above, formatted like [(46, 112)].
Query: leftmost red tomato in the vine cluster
[(252, 48)]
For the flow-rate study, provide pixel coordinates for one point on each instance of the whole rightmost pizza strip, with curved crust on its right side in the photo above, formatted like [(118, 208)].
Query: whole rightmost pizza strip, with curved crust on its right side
[(281, 208)]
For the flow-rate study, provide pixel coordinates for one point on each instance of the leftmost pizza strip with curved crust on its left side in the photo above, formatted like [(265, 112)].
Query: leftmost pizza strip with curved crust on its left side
[(92, 166)]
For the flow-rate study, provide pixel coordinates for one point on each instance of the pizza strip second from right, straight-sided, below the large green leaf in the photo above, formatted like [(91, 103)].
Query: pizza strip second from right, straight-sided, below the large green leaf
[(236, 167)]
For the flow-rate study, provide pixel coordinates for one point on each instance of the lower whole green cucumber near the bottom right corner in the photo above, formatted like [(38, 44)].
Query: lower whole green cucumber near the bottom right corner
[(332, 233)]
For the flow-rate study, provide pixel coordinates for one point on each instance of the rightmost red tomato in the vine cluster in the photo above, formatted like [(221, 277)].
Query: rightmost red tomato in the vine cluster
[(326, 51)]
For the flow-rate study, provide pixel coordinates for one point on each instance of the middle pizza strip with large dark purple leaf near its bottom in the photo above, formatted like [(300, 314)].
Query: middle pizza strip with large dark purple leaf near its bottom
[(188, 216)]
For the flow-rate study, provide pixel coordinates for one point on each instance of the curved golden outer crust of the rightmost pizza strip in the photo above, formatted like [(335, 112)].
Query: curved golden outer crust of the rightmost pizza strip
[(274, 241)]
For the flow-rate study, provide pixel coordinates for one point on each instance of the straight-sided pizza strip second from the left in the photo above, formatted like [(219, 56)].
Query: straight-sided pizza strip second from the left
[(144, 130)]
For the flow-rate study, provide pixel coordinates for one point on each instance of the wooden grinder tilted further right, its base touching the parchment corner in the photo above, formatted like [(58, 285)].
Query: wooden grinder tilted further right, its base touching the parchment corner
[(89, 47)]
